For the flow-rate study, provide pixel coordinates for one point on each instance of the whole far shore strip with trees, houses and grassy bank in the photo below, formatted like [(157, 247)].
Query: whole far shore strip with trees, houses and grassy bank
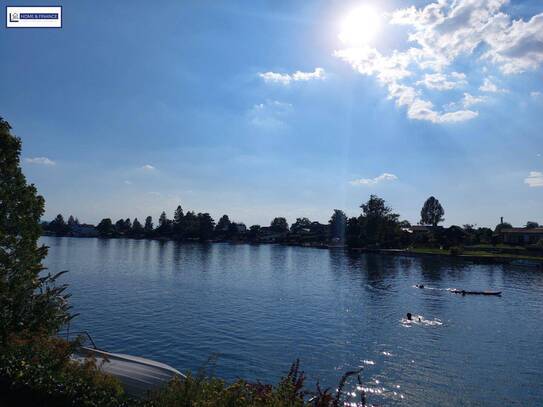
[(377, 227)]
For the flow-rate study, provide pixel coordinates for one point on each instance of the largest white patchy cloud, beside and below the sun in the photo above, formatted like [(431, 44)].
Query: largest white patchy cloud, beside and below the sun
[(441, 32)]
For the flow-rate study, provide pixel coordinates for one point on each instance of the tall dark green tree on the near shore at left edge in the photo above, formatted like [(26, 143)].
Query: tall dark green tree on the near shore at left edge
[(29, 300)]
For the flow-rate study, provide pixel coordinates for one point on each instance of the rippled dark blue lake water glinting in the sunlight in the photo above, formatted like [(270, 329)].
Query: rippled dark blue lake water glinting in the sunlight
[(258, 308)]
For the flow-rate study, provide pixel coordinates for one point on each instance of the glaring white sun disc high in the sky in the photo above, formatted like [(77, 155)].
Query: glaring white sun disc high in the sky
[(359, 26)]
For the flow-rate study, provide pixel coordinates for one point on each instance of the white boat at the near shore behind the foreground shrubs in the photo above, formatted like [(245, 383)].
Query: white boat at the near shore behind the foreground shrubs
[(137, 375)]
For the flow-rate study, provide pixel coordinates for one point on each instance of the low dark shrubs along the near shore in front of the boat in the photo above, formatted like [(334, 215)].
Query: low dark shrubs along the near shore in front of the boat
[(38, 370)]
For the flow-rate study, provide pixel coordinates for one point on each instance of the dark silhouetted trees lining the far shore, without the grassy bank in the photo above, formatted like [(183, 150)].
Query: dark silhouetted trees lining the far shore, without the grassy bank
[(377, 226)]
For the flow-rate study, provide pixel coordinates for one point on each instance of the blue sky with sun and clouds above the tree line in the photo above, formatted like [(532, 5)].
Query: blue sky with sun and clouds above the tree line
[(260, 109)]
